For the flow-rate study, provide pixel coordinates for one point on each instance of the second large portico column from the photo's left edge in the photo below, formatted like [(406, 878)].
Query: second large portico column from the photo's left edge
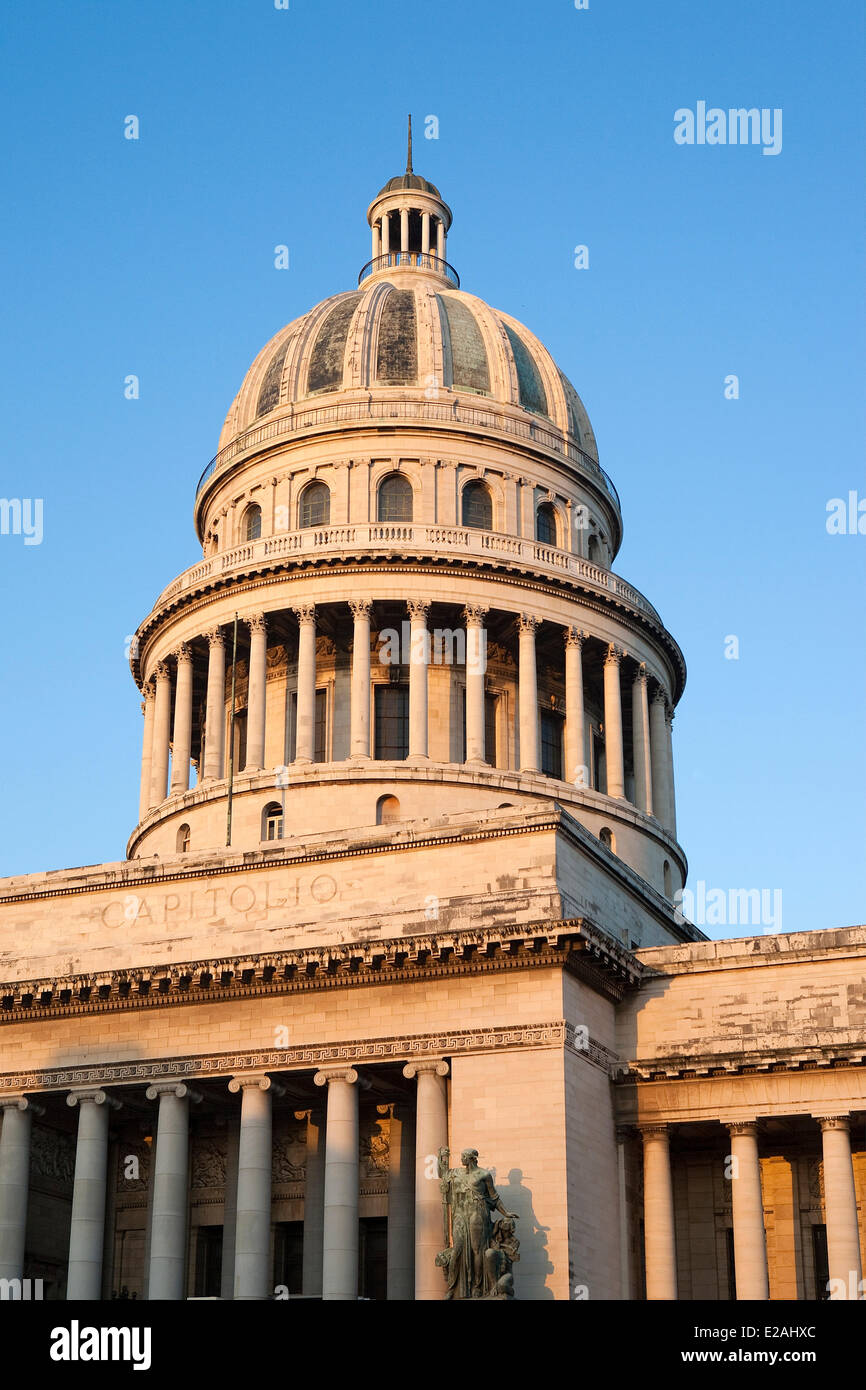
[(88, 1225)]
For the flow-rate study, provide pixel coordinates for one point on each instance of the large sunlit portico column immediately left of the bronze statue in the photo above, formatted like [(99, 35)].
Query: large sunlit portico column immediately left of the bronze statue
[(432, 1135)]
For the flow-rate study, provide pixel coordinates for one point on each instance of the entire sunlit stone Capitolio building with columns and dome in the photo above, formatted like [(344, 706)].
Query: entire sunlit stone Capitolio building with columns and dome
[(391, 997)]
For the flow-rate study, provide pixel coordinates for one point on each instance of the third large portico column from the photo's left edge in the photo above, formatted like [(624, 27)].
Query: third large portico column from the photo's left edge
[(169, 1220)]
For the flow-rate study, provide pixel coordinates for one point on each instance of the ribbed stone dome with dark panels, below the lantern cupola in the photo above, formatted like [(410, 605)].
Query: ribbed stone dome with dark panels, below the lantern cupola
[(408, 332)]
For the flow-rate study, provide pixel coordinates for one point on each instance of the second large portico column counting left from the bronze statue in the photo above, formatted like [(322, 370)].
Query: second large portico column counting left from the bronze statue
[(343, 1179)]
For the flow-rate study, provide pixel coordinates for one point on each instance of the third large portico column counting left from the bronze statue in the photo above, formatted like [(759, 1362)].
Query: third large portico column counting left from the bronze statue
[(254, 1202)]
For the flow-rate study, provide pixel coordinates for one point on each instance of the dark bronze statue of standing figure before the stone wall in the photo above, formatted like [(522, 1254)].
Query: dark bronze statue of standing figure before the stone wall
[(480, 1253)]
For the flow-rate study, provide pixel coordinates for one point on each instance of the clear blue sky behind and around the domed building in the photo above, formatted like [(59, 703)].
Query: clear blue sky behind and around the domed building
[(263, 127)]
